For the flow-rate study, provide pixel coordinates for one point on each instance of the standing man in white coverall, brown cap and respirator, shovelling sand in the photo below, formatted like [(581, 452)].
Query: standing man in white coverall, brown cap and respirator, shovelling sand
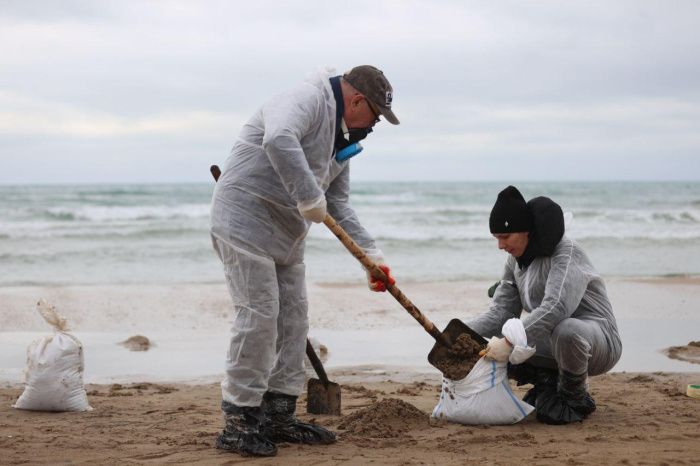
[(288, 168)]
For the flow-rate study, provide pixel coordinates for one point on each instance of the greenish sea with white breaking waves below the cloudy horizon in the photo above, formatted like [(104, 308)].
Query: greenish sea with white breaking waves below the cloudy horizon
[(107, 234)]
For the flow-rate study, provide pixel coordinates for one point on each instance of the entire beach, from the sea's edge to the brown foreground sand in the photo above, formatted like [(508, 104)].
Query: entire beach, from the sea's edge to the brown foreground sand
[(376, 352)]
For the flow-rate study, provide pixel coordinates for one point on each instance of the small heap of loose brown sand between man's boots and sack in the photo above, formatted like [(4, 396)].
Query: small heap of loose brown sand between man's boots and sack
[(388, 418)]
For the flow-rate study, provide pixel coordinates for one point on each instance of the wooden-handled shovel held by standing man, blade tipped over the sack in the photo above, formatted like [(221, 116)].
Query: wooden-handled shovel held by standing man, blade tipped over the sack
[(445, 339)]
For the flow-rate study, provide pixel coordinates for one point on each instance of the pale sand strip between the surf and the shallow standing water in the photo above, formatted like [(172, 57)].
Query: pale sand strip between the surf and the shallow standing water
[(207, 306)]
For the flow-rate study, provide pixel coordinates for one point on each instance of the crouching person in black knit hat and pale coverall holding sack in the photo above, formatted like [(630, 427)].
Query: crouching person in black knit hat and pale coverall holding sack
[(569, 319)]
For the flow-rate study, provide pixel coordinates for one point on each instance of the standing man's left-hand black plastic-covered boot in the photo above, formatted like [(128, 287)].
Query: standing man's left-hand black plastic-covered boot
[(242, 432)]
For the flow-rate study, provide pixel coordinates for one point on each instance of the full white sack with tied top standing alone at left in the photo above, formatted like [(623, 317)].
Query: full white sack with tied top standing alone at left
[(54, 372)]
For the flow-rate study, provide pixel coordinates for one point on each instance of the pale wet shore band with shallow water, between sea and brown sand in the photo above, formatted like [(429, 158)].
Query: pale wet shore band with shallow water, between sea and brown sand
[(189, 325)]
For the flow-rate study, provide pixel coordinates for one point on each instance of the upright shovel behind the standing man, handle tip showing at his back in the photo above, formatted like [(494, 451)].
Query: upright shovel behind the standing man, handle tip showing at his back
[(323, 396)]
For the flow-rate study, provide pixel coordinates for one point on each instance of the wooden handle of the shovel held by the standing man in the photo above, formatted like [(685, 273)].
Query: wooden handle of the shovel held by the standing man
[(379, 274)]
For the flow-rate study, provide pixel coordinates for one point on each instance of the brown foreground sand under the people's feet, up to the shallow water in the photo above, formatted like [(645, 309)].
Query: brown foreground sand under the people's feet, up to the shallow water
[(641, 419)]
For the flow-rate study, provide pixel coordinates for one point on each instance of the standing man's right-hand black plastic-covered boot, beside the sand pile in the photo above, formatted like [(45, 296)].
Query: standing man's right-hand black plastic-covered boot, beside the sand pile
[(281, 425)]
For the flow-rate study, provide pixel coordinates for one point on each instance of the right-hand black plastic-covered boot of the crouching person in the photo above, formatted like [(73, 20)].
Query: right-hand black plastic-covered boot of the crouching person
[(569, 402)]
